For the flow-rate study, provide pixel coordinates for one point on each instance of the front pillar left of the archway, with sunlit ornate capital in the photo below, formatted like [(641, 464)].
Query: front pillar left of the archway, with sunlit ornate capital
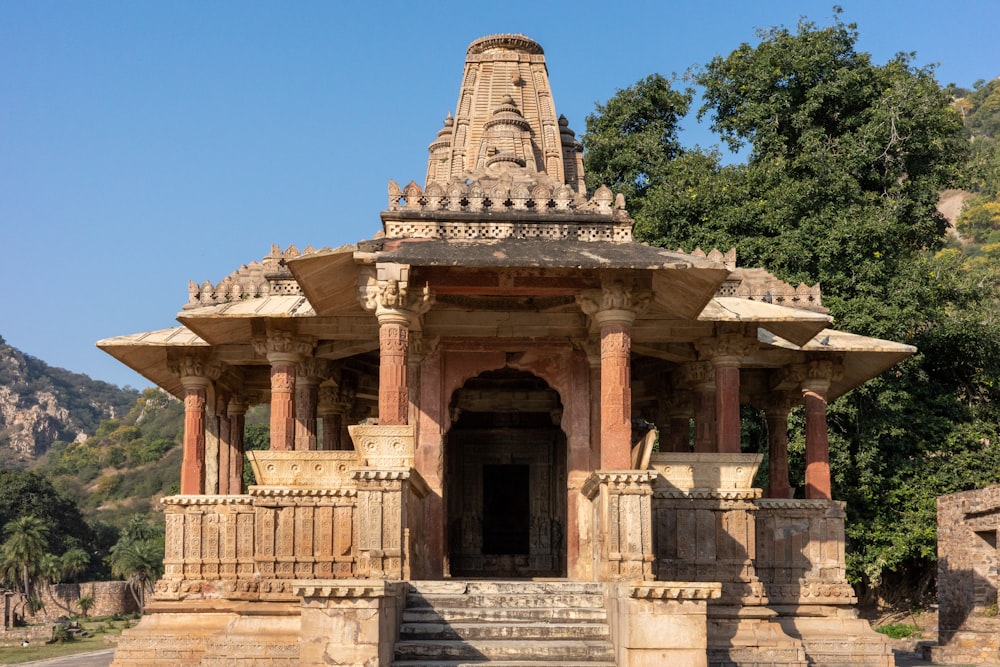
[(397, 312)]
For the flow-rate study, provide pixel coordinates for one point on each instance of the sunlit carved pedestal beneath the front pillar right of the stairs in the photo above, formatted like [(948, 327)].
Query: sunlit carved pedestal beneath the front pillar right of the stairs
[(621, 501)]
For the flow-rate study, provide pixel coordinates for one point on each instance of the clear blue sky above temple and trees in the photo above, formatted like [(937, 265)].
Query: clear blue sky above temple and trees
[(146, 144)]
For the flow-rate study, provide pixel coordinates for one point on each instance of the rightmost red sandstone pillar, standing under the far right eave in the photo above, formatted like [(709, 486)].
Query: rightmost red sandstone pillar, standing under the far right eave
[(814, 389)]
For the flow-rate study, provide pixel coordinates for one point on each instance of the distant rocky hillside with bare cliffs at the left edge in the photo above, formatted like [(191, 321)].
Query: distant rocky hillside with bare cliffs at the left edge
[(40, 404)]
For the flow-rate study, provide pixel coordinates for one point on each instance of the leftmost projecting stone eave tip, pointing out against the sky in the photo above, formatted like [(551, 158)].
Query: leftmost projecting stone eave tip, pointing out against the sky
[(147, 354)]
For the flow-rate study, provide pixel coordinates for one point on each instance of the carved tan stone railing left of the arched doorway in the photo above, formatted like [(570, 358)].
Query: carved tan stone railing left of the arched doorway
[(316, 515)]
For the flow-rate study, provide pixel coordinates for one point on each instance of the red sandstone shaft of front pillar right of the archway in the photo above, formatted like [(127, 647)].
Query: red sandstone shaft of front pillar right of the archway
[(616, 388)]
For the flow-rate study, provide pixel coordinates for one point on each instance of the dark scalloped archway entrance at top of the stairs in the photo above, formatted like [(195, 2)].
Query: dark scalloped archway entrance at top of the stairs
[(505, 478)]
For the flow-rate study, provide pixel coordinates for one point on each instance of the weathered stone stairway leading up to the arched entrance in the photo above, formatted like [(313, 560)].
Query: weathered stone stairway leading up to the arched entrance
[(504, 624)]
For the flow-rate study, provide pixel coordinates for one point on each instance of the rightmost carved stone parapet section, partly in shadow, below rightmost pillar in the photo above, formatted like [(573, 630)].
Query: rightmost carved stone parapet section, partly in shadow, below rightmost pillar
[(800, 551)]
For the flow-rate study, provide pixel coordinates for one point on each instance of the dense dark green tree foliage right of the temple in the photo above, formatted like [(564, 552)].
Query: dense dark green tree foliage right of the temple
[(844, 163)]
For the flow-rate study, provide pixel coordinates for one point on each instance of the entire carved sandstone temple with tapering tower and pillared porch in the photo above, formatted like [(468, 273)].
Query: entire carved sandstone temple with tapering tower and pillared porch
[(502, 432)]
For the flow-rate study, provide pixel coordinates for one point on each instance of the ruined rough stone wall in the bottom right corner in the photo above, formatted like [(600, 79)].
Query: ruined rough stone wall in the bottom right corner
[(968, 577)]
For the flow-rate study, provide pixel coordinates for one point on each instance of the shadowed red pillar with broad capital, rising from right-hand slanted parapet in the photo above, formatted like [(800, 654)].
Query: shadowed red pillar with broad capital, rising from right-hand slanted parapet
[(726, 353)]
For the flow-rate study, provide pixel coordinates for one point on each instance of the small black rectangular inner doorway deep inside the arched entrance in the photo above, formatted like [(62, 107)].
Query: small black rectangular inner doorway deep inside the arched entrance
[(506, 514)]
